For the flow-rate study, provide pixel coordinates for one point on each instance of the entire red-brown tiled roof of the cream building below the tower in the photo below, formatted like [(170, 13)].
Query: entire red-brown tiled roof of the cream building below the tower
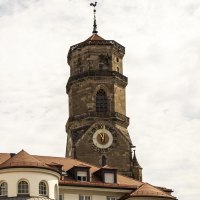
[(138, 188)]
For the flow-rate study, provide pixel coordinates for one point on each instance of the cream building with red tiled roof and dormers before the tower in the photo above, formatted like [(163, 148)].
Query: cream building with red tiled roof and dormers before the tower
[(31, 177)]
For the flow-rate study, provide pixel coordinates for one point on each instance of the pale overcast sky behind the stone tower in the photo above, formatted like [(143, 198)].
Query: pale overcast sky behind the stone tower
[(162, 62)]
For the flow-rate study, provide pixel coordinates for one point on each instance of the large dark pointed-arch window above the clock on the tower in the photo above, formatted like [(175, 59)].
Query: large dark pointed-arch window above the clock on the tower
[(101, 101)]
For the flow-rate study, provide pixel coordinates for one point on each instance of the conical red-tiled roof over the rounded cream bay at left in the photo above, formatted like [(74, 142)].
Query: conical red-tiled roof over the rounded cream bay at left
[(23, 159)]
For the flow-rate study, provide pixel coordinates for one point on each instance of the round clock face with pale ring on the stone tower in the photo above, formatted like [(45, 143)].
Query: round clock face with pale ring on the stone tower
[(103, 137)]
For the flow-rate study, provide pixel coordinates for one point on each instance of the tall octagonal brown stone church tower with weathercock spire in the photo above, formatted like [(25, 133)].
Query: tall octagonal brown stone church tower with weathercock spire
[(97, 125)]
